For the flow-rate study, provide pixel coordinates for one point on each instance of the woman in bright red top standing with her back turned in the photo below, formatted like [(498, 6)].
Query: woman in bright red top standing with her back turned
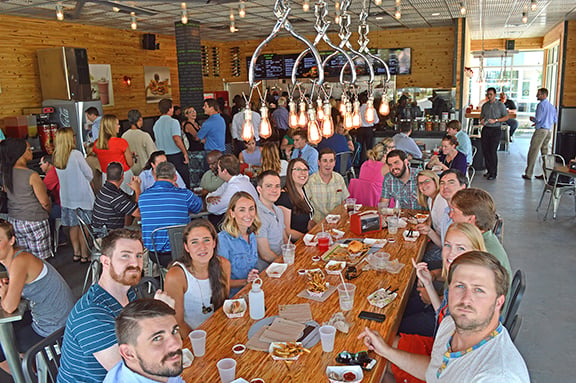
[(110, 148)]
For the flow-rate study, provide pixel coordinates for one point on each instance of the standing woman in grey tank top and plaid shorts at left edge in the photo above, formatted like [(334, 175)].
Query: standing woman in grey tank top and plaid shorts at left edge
[(28, 202)]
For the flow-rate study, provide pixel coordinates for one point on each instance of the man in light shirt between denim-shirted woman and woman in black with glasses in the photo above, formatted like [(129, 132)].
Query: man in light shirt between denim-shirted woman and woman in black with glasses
[(272, 234)]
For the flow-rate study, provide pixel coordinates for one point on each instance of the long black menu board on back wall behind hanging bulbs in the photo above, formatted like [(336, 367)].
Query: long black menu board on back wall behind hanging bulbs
[(274, 66)]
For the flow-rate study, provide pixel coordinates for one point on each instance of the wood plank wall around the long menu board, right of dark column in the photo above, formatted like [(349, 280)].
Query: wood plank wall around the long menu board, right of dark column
[(432, 55)]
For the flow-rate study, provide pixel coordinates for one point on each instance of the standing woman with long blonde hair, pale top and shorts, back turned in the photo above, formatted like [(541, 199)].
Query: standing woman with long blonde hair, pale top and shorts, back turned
[(75, 176)]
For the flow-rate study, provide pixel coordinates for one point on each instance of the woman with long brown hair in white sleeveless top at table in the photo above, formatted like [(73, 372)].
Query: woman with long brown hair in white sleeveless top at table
[(200, 280)]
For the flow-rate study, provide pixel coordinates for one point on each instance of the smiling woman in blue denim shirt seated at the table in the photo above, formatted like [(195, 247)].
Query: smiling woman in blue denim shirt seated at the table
[(237, 240)]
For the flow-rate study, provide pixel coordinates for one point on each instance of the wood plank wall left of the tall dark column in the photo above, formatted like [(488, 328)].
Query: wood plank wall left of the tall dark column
[(20, 82)]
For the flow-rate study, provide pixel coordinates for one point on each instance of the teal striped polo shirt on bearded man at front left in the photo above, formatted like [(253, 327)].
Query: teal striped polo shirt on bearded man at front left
[(89, 329)]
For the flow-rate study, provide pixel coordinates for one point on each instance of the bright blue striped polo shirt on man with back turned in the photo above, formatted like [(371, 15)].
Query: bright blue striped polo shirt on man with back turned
[(165, 205)]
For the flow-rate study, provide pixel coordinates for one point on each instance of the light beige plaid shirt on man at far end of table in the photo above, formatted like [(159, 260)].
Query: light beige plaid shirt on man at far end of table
[(325, 197)]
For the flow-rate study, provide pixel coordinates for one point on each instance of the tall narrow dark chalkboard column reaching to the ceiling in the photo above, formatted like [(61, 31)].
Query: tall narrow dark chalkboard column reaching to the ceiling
[(188, 52)]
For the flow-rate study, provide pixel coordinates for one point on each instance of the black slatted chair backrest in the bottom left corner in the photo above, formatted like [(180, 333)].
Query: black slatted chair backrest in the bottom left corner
[(40, 363)]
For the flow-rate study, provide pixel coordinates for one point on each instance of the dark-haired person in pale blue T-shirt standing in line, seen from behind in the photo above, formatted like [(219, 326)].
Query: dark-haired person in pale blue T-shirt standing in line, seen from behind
[(169, 139)]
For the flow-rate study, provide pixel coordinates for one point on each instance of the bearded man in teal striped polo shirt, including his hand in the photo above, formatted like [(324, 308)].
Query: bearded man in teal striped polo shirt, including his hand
[(89, 348)]
